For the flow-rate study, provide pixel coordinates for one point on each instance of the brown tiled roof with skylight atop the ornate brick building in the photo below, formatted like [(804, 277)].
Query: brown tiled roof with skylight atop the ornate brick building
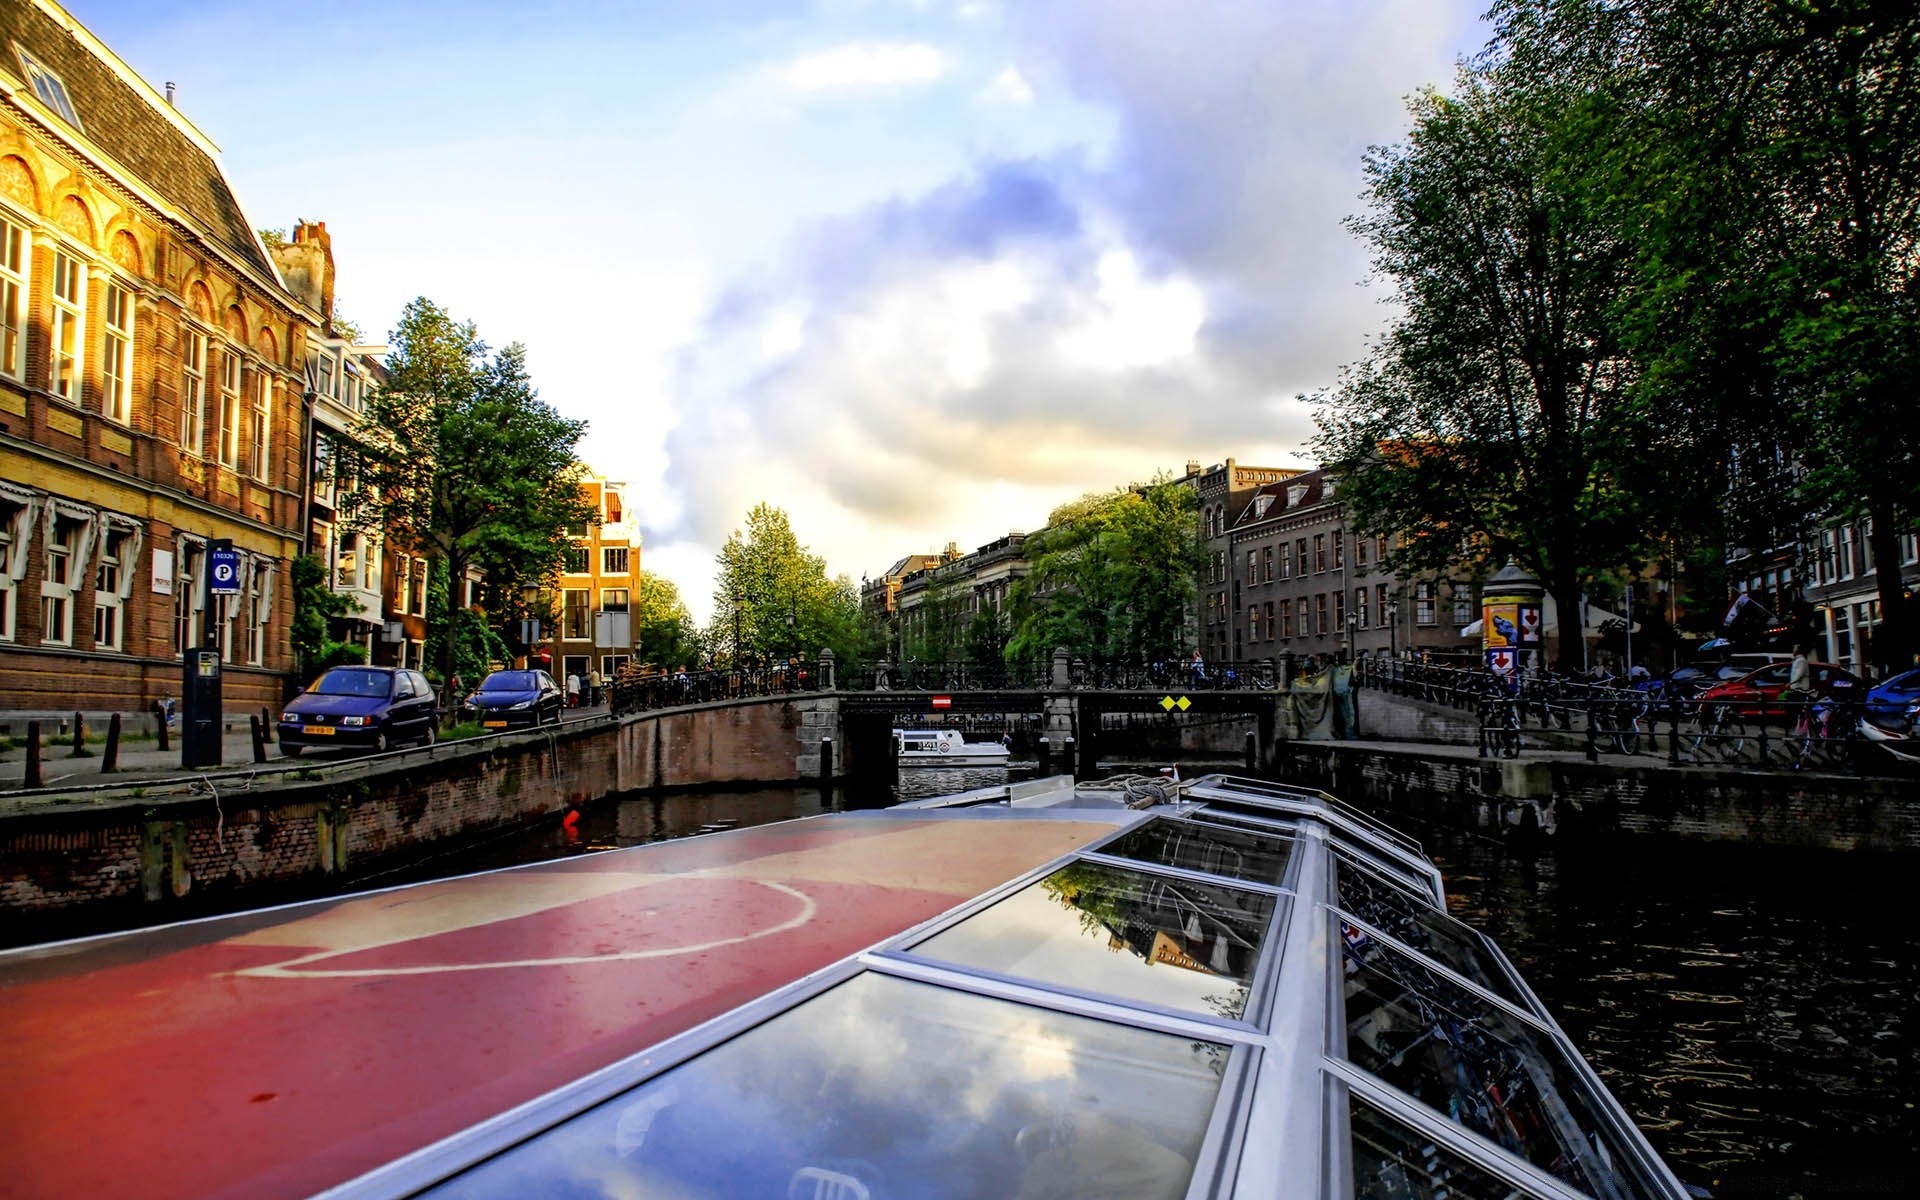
[(126, 120)]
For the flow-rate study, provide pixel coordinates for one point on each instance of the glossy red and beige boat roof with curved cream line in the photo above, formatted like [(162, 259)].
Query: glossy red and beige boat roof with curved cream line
[(289, 1051)]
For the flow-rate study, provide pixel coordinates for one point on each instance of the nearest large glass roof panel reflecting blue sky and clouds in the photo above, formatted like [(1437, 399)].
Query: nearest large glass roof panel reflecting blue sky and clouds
[(892, 1090)]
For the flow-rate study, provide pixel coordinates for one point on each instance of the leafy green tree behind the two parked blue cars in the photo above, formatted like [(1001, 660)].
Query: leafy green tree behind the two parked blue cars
[(460, 460)]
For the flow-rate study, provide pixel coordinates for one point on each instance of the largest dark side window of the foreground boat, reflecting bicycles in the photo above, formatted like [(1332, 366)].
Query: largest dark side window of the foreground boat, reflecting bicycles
[(1479, 1067)]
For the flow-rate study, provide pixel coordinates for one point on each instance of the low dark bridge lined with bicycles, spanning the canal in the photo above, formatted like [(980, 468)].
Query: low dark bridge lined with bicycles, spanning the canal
[(838, 721)]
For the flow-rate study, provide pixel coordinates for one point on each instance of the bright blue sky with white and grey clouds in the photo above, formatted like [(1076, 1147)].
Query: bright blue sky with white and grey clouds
[(915, 272)]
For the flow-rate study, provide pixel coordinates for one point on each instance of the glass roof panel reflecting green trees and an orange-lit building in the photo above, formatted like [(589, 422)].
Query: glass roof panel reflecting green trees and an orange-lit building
[(1124, 934)]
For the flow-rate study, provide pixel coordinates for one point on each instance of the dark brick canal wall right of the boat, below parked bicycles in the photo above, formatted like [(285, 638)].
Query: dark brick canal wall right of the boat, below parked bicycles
[(1570, 798)]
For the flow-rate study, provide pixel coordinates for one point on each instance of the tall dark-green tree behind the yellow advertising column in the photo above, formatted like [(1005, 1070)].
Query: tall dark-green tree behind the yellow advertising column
[(1497, 414)]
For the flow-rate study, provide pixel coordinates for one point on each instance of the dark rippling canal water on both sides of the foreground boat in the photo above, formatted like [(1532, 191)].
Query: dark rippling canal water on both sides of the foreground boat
[(1756, 1011)]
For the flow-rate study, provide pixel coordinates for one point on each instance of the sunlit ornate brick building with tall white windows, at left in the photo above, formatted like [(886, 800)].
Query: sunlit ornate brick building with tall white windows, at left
[(151, 391)]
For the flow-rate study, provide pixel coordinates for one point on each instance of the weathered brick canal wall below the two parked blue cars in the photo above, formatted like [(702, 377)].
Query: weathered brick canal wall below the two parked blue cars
[(147, 853)]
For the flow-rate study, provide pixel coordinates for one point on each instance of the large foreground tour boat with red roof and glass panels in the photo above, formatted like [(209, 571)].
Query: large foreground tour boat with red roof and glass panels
[(1212, 988)]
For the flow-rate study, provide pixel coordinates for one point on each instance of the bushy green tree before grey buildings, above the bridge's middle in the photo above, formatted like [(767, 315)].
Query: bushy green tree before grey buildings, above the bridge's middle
[(1113, 577)]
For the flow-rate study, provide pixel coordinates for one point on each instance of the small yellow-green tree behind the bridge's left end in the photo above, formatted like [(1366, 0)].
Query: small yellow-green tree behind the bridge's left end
[(773, 598)]
